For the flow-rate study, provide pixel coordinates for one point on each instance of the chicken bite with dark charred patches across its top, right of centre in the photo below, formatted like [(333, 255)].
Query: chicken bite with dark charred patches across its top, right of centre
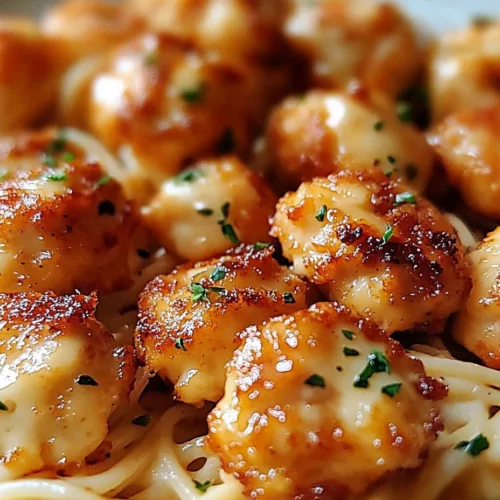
[(376, 247)]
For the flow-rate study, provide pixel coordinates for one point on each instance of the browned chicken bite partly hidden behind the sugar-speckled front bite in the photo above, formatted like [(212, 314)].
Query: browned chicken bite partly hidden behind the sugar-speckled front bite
[(188, 320)]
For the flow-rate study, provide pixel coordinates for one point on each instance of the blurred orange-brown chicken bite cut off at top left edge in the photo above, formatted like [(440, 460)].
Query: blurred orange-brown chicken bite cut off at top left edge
[(29, 74)]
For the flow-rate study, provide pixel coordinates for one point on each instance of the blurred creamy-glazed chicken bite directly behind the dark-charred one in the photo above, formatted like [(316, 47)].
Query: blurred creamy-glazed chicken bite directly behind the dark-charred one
[(322, 132)]
